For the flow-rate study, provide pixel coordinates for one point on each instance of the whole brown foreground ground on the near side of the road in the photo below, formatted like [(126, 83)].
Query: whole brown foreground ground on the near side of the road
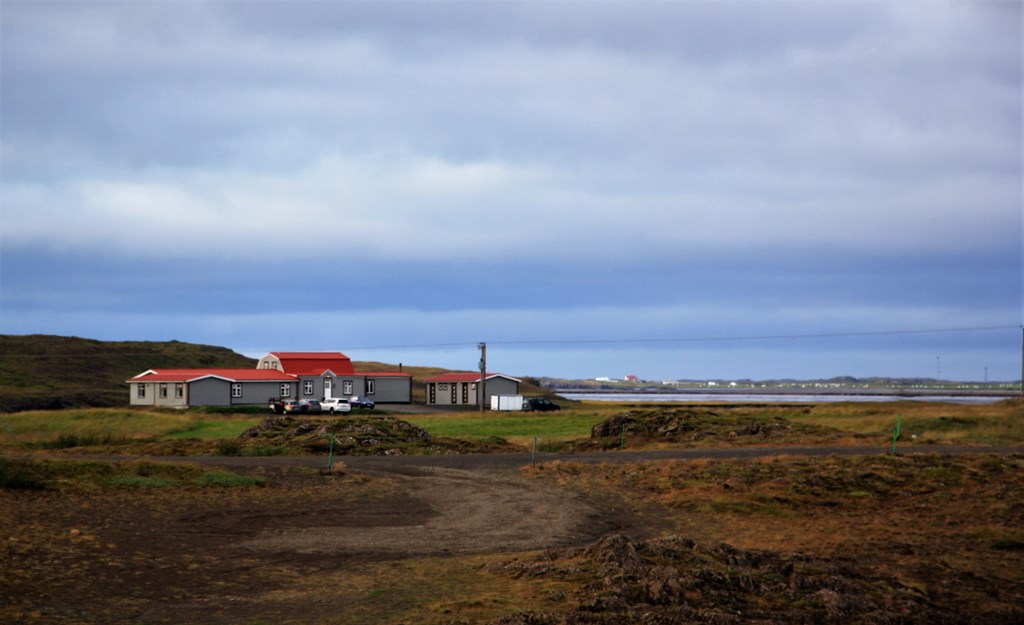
[(901, 541)]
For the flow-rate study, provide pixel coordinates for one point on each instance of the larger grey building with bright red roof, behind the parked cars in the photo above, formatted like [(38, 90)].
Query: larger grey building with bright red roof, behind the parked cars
[(297, 376)]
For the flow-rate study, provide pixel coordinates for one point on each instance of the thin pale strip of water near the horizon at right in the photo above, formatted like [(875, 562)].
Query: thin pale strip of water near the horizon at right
[(766, 398)]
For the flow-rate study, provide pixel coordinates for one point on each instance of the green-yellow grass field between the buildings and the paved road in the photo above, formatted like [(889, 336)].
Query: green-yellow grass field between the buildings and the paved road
[(922, 424)]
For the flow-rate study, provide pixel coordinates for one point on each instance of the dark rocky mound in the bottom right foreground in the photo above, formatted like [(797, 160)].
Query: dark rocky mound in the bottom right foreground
[(674, 580)]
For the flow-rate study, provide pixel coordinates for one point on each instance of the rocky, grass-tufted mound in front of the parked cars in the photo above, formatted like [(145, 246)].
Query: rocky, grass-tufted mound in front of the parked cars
[(359, 436)]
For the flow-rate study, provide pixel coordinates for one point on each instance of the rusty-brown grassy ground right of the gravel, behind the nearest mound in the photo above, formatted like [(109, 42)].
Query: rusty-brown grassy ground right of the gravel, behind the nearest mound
[(951, 527)]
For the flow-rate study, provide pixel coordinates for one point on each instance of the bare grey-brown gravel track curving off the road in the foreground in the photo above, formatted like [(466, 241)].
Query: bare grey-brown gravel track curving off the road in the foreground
[(443, 512)]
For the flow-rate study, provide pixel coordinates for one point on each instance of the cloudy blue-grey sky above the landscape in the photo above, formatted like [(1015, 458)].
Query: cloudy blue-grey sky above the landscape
[(670, 190)]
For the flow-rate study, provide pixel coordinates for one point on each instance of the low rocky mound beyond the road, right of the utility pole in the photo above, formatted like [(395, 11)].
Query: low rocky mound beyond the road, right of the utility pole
[(700, 425)]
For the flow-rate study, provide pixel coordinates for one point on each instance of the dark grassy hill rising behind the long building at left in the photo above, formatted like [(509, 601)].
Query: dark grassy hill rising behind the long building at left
[(51, 372)]
